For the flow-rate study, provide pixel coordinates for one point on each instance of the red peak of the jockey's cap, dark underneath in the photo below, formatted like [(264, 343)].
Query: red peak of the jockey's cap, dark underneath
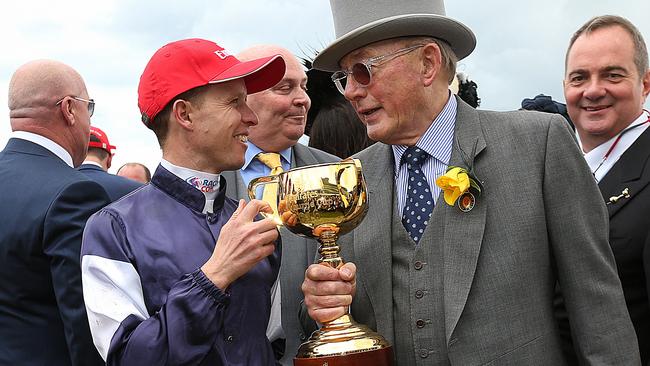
[(258, 74)]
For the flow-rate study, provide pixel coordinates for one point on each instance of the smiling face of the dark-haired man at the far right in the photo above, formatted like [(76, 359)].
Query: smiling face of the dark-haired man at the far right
[(603, 89)]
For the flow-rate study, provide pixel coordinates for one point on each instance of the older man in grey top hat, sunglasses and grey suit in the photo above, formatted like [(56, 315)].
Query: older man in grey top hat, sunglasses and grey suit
[(468, 279)]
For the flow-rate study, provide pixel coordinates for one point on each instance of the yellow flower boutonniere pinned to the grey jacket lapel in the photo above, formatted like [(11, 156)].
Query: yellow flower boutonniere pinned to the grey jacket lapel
[(460, 188)]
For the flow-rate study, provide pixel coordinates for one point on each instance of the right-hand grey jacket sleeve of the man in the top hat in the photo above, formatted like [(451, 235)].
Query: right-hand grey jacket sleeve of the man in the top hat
[(600, 324)]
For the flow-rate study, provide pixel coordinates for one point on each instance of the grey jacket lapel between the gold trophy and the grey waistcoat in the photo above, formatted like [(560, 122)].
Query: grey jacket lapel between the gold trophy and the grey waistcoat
[(372, 239)]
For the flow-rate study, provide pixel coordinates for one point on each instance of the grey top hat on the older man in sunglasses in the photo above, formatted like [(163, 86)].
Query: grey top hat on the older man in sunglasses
[(358, 23)]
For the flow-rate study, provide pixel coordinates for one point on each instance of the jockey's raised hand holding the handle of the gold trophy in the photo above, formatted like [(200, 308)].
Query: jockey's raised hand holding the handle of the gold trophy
[(242, 243)]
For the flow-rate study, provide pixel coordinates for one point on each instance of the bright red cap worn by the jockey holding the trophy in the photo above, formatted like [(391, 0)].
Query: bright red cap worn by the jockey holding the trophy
[(183, 65)]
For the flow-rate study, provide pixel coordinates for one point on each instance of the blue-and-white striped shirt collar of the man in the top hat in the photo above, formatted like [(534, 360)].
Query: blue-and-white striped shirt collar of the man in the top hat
[(437, 140)]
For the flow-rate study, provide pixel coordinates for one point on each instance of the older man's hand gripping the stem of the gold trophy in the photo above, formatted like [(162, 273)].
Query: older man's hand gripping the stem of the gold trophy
[(329, 291)]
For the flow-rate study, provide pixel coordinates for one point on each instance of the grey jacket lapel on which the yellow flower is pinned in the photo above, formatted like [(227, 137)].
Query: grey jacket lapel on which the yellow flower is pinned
[(463, 231)]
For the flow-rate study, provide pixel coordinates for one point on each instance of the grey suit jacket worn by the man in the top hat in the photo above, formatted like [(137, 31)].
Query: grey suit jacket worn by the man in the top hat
[(540, 219)]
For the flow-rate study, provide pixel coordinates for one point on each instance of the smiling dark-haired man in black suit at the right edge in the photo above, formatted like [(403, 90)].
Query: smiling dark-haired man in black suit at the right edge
[(606, 83)]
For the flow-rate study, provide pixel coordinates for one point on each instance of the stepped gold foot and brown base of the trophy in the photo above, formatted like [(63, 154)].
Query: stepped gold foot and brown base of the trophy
[(344, 342)]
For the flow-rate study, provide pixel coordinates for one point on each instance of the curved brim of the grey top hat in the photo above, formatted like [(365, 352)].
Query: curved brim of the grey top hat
[(460, 37)]
